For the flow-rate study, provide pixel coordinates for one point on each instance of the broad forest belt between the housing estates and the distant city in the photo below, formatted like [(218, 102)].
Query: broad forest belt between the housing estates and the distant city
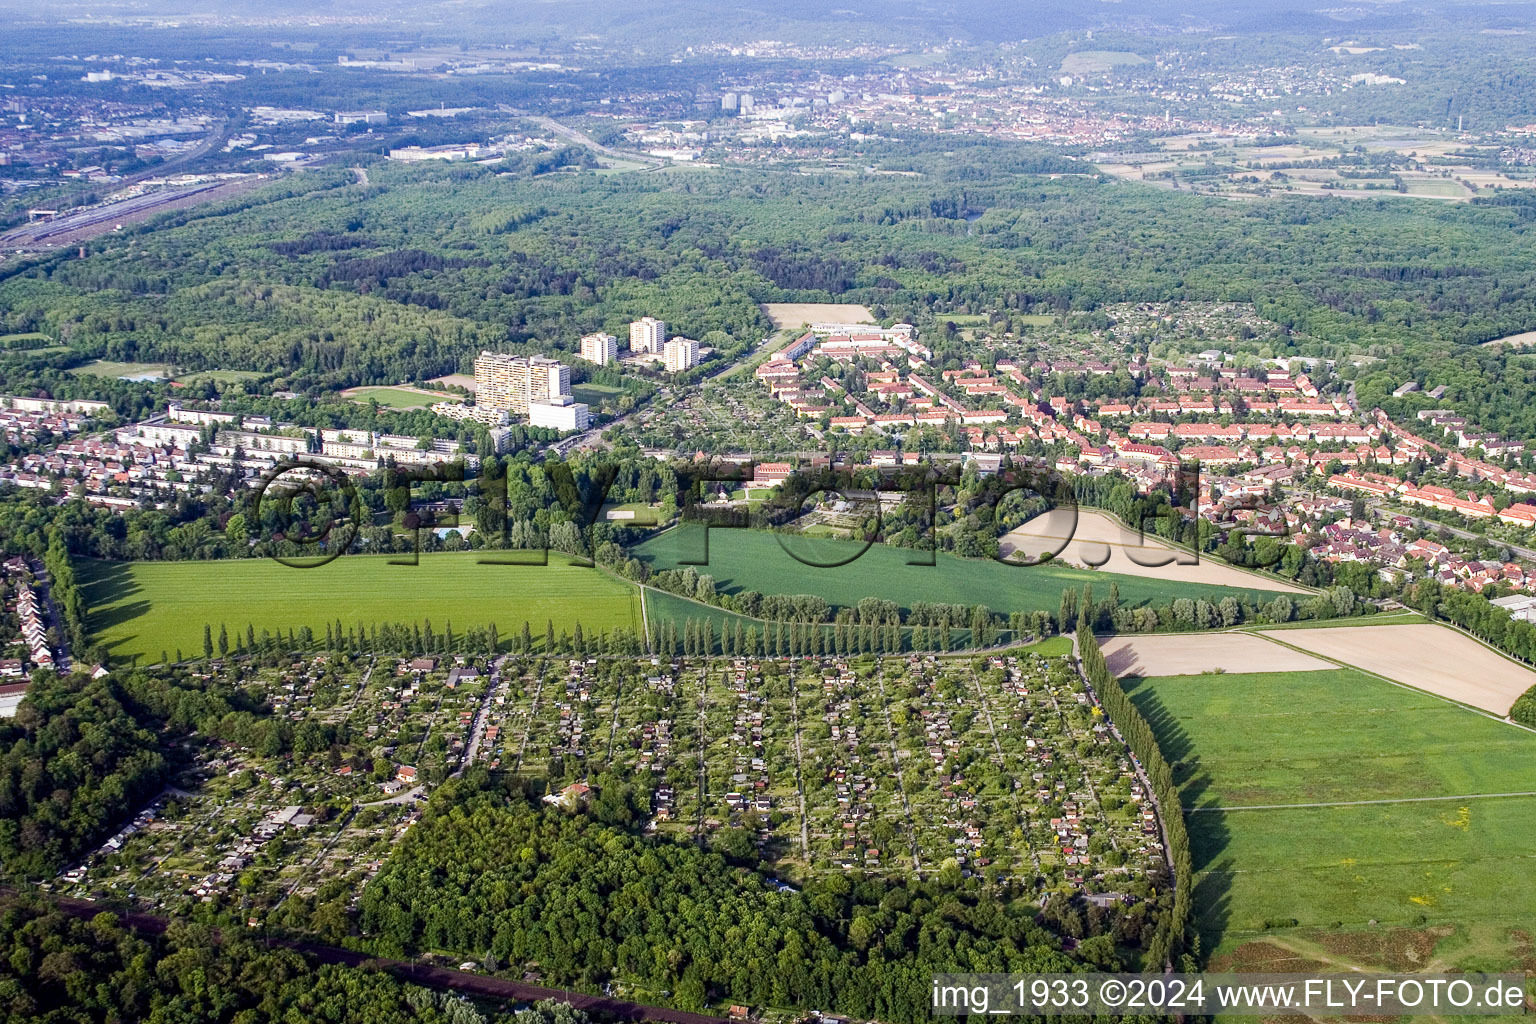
[(411, 276)]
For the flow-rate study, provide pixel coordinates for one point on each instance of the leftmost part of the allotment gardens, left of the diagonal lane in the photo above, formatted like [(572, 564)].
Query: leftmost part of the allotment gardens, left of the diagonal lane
[(305, 807)]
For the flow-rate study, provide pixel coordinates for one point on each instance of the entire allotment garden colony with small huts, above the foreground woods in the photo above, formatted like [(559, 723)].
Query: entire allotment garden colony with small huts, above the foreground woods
[(999, 765)]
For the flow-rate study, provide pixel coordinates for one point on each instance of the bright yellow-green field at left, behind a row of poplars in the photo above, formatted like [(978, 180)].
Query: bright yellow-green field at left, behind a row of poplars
[(142, 609)]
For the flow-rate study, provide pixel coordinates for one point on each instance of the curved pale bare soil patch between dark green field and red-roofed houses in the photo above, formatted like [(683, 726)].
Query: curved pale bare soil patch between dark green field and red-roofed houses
[(1101, 541)]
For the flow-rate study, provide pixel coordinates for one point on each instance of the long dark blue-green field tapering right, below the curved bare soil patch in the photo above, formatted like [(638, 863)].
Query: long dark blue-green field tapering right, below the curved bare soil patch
[(753, 560)]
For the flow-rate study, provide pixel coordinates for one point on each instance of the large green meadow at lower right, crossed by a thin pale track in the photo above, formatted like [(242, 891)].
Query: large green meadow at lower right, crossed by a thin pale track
[(1291, 739)]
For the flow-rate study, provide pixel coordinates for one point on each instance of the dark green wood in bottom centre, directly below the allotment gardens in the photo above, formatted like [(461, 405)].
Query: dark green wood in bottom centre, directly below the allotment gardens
[(489, 870)]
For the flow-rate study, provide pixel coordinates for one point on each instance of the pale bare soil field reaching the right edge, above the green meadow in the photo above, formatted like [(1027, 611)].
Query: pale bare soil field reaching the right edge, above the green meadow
[(1426, 656)]
